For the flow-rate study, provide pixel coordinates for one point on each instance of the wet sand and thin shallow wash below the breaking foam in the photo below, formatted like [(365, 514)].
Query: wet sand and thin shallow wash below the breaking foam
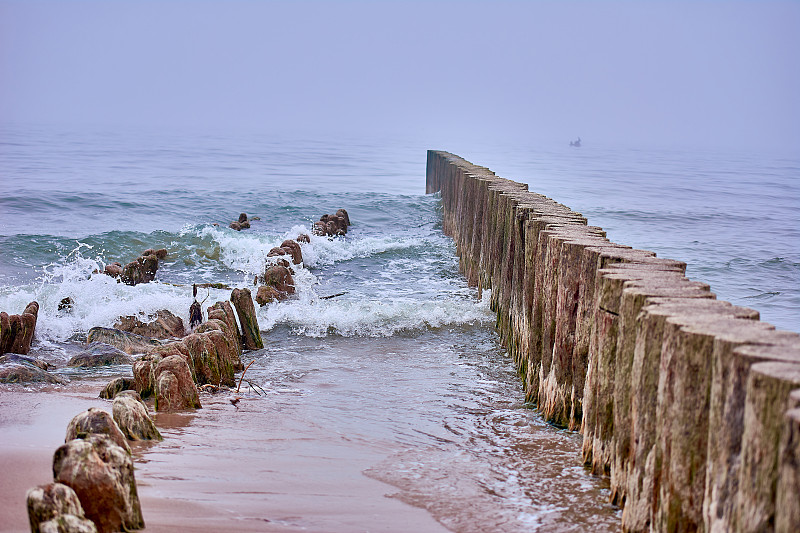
[(423, 433)]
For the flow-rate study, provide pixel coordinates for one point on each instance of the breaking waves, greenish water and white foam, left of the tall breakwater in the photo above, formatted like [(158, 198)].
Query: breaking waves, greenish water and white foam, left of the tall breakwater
[(385, 284)]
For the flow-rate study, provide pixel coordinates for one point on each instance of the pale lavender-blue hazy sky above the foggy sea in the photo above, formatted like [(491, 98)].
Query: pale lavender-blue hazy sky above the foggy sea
[(674, 73)]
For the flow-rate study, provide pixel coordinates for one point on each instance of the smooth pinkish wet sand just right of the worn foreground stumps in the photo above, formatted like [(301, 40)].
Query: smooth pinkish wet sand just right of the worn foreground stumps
[(214, 471)]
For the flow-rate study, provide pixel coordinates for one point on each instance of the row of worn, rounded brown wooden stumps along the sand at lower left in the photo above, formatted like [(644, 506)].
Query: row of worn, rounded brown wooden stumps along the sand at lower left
[(94, 487)]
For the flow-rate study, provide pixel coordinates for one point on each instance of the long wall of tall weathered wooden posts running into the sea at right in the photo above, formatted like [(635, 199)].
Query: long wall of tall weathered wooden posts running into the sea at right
[(690, 404)]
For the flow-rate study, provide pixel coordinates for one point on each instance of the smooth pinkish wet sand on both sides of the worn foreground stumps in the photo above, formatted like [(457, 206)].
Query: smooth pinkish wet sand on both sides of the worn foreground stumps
[(203, 476)]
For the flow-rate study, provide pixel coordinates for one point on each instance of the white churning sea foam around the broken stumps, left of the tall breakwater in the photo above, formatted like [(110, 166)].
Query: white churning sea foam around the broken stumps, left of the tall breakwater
[(389, 300)]
